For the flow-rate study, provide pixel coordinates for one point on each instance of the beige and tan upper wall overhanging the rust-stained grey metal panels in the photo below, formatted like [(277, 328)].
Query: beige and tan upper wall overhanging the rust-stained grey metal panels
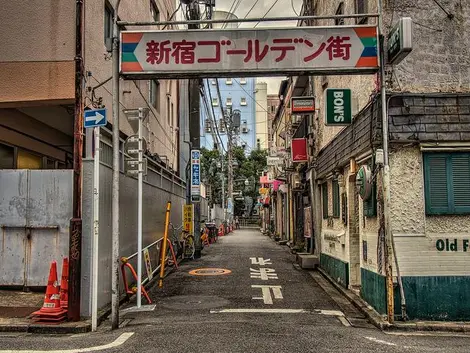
[(38, 49)]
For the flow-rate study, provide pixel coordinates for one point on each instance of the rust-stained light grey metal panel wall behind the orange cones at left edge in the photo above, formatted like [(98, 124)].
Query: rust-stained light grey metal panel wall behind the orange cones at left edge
[(35, 211)]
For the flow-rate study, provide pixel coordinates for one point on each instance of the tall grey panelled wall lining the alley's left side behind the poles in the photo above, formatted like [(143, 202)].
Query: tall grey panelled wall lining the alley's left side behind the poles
[(157, 191)]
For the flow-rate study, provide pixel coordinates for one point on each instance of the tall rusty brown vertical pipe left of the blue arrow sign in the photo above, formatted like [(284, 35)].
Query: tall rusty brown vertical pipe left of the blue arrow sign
[(75, 235)]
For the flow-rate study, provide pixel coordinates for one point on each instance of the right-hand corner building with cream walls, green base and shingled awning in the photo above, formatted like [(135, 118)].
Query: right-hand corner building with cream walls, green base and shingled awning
[(428, 105)]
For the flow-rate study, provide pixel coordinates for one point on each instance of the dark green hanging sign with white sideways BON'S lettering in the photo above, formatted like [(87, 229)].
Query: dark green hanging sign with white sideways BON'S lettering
[(338, 106)]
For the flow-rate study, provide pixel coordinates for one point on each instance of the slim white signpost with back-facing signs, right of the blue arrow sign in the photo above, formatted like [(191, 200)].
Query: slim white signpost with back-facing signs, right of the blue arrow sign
[(137, 116)]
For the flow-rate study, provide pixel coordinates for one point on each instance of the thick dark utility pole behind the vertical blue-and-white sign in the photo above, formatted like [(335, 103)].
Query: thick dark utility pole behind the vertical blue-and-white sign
[(195, 129)]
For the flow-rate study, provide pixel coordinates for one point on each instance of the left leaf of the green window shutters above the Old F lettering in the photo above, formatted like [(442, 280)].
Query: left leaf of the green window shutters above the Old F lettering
[(436, 173)]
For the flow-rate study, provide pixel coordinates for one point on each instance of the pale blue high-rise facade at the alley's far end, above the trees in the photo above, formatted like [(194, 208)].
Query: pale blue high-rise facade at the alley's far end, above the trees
[(236, 94)]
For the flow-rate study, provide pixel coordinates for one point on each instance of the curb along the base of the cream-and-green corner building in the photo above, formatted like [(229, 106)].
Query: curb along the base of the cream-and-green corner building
[(377, 320)]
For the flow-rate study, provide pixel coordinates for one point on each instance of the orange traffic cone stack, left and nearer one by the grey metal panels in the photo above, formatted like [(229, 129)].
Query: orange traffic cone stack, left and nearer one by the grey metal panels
[(51, 310)]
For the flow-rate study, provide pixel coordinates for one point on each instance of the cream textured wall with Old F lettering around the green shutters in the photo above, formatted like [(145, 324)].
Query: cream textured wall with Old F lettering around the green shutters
[(416, 234)]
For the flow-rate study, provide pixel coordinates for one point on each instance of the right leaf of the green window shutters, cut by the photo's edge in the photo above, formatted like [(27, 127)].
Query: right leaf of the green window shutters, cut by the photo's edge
[(461, 182)]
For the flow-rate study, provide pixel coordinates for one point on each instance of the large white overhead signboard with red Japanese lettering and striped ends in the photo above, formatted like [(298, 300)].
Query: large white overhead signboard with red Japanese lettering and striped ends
[(207, 53)]
